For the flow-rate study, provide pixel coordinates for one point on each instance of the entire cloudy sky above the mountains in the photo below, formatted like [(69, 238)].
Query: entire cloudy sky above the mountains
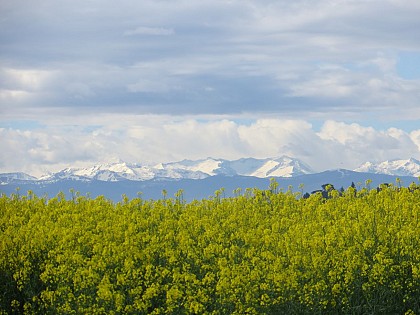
[(334, 83)]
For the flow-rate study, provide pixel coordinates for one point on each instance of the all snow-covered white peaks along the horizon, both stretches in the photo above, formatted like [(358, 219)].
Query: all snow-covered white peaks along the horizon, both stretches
[(282, 166)]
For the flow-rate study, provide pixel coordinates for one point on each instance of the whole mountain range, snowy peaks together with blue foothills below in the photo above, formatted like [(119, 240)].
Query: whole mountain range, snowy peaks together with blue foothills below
[(200, 178)]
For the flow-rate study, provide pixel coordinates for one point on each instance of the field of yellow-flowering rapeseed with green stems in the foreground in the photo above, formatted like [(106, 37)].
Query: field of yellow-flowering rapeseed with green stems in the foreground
[(260, 252)]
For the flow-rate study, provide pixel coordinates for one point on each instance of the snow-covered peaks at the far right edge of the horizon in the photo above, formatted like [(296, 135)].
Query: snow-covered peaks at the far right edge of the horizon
[(410, 167)]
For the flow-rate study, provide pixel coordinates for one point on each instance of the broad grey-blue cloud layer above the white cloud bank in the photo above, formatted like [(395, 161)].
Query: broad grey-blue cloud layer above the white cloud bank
[(211, 57)]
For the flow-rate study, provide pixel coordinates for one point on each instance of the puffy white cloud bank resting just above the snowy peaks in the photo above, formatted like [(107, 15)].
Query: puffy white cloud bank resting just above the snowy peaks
[(149, 140)]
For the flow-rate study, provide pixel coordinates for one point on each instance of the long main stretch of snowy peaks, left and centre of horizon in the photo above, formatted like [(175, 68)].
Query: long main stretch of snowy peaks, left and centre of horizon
[(276, 167)]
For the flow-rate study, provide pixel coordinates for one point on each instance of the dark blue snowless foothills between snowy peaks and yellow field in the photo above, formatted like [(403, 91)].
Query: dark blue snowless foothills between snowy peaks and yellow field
[(198, 188)]
